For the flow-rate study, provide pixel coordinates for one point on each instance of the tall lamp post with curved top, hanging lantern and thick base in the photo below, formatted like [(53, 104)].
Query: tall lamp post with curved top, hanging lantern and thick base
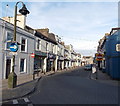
[(12, 78)]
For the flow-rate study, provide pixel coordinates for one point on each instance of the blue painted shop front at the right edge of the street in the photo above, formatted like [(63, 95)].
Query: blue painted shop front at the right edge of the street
[(112, 56)]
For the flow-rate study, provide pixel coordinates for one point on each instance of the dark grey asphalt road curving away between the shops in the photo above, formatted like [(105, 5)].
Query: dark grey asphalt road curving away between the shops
[(74, 87)]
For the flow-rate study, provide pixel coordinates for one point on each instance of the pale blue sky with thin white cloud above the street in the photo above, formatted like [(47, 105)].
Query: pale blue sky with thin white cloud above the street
[(81, 24)]
